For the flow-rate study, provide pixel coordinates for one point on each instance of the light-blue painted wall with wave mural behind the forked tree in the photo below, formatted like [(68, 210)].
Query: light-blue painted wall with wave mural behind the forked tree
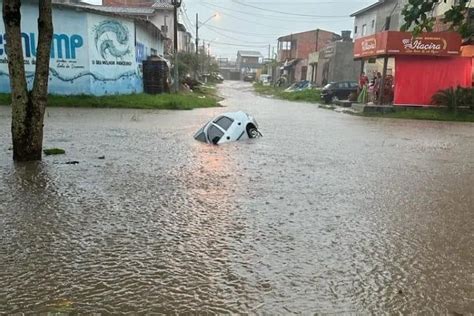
[(92, 52)]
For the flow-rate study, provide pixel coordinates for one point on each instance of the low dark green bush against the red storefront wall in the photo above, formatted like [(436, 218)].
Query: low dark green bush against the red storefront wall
[(454, 98)]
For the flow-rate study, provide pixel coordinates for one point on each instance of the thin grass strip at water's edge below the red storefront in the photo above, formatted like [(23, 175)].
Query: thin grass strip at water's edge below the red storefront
[(432, 114)]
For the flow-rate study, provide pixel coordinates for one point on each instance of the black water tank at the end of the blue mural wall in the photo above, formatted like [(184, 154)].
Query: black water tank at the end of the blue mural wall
[(155, 74)]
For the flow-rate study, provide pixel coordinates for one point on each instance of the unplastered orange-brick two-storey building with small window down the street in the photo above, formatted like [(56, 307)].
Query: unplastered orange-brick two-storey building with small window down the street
[(294, 50)]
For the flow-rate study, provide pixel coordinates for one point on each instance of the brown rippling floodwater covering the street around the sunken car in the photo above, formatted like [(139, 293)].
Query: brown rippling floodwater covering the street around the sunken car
[(327, 213)]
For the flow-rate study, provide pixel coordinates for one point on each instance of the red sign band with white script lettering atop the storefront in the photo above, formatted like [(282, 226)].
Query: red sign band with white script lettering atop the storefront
[(391, 43)]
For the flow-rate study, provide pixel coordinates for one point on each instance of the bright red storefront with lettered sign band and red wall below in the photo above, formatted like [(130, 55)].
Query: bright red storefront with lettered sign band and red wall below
[(423, 64)]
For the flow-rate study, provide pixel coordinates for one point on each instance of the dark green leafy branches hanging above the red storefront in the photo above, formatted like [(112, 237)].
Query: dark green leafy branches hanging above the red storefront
[(418, 16)]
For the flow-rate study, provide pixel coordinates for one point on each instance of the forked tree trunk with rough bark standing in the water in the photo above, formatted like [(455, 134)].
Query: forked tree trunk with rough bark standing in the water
[(28, 106)]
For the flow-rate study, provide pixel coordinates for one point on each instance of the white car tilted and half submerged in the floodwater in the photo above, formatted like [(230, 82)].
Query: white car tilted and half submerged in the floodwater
[(228, 127)]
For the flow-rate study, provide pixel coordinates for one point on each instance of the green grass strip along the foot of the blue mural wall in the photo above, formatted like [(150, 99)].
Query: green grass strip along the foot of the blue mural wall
[(205, 97)]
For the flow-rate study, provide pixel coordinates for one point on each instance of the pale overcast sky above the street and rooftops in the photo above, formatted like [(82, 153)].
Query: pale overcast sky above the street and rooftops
[(255, 24)]
